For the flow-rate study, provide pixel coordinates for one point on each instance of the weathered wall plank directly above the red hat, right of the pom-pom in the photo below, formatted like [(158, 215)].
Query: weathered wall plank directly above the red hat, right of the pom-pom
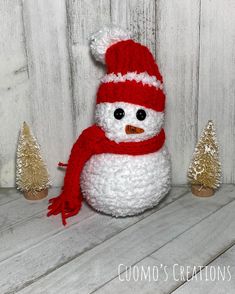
[(138, 17)]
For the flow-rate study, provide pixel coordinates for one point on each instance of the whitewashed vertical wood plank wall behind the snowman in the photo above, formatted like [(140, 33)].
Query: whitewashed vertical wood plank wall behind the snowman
[(49, 79)]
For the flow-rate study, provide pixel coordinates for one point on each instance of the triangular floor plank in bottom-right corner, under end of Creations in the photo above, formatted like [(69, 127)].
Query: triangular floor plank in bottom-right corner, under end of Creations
[(207, 284)]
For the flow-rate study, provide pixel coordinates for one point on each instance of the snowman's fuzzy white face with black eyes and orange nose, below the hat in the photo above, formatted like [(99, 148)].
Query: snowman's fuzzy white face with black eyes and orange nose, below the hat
[(126, 122)]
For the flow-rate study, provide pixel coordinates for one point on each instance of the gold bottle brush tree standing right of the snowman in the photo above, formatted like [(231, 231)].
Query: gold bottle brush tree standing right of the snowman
[(204, 173)]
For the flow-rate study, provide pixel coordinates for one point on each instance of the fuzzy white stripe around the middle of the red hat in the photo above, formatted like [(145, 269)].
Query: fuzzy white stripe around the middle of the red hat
[(142, 77)]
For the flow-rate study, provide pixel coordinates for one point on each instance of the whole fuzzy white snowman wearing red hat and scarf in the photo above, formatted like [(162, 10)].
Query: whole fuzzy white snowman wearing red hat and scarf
[(120, 165)]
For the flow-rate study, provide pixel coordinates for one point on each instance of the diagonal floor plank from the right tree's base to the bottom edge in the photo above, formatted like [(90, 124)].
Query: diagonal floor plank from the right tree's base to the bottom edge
[(99, 265)]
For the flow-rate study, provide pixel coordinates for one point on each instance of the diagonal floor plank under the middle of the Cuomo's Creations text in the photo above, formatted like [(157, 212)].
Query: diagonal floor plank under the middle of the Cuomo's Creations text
[(195, 247)]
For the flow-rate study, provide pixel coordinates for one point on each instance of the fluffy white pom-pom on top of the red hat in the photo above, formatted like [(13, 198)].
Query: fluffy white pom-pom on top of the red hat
[(106, 37)]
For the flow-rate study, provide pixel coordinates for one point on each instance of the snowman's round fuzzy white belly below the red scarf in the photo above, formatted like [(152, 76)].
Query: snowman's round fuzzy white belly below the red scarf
[(123, 185)]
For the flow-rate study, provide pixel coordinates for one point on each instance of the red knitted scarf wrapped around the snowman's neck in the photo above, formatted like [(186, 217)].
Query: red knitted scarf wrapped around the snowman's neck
[(93, 141)]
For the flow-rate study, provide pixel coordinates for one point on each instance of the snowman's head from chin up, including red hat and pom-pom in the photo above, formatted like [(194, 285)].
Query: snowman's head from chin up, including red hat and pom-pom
[(130, 99)]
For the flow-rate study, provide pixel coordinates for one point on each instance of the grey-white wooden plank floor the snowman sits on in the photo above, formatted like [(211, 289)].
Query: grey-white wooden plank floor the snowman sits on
[(39, 255)]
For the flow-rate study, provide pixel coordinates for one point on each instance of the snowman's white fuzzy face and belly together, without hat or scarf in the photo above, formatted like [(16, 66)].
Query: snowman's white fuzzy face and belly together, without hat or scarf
[(123, 185)]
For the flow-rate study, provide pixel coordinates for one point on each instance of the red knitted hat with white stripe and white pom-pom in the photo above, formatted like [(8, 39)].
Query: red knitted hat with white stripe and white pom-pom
[(132, 74)]
